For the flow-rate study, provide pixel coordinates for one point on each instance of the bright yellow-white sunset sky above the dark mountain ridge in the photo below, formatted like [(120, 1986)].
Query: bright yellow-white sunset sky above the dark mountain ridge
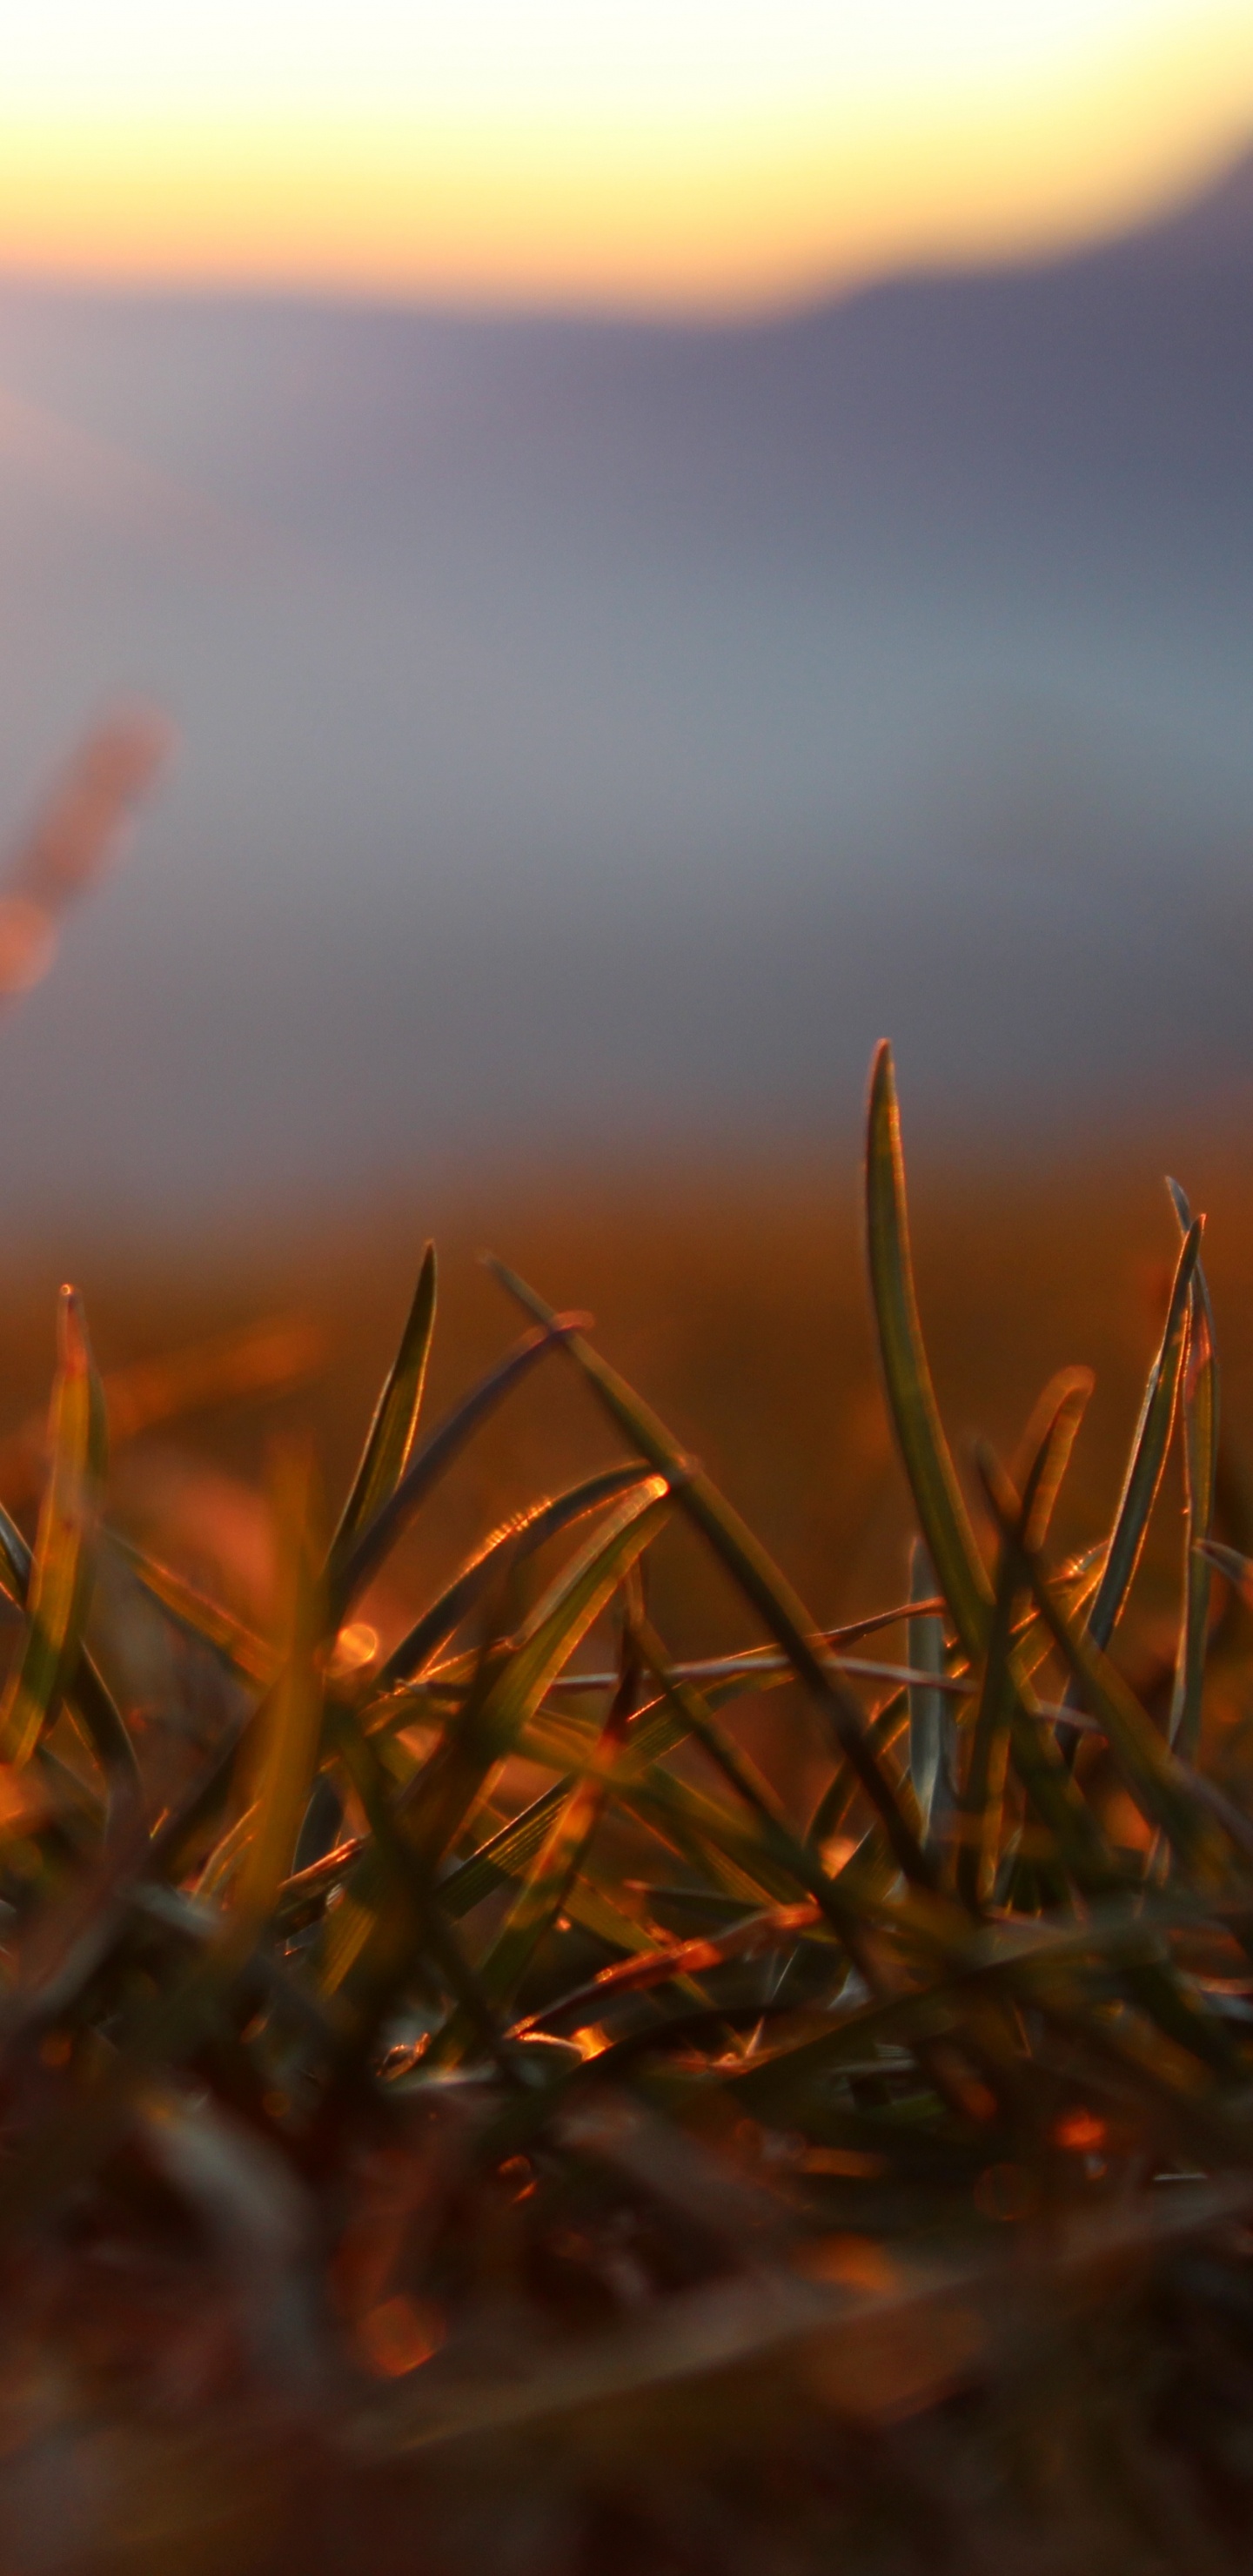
[(654, 156)]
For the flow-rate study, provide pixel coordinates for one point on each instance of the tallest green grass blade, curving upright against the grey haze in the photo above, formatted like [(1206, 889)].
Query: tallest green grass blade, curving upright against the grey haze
[(911, 1395)]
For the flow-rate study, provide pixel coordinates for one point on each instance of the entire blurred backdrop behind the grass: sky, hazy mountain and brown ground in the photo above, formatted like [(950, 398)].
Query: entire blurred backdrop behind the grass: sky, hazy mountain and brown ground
[(674, 542)]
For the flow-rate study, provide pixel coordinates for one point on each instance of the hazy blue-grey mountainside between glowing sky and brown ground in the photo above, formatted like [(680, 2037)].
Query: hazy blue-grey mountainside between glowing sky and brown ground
[(597, 733)]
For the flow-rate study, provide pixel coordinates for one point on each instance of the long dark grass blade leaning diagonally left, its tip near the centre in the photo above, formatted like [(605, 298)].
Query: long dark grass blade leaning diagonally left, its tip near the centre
[(752, 1570)]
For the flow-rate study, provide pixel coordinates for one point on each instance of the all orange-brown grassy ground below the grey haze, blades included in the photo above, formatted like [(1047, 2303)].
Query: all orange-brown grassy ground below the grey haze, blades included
[(520, 2047)]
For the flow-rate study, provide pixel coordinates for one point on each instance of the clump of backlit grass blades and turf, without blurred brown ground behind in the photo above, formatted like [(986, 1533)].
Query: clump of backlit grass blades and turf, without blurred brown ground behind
[(452, 2090)]
